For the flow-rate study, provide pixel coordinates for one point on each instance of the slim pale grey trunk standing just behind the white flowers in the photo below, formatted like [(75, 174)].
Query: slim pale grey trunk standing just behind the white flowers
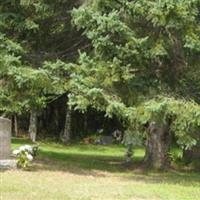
[(33, 126)]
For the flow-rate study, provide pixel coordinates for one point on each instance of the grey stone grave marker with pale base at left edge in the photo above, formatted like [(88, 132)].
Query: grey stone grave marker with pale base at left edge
[(5, 144)]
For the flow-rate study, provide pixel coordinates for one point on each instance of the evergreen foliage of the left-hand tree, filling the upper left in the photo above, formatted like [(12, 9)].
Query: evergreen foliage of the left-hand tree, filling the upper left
[(32, 33)]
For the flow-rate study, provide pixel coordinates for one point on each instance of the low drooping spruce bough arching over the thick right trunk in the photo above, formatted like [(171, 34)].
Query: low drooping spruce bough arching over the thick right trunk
[(182, 116)]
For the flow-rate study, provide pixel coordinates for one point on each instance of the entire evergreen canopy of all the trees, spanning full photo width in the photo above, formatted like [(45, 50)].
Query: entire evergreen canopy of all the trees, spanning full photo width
[(137, 61)]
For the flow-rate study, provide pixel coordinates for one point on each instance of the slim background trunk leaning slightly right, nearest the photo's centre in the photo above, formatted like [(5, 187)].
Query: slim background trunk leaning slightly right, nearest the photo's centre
[(66, 138)]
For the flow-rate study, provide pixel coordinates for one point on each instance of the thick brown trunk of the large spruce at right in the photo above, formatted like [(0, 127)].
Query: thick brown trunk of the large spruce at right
[(157, 146)]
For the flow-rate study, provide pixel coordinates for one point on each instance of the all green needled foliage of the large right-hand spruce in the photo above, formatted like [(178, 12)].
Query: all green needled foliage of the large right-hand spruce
[(141, 49)]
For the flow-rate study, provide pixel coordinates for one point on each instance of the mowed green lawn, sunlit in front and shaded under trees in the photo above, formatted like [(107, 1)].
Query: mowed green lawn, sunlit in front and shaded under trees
[(89, 172)]
